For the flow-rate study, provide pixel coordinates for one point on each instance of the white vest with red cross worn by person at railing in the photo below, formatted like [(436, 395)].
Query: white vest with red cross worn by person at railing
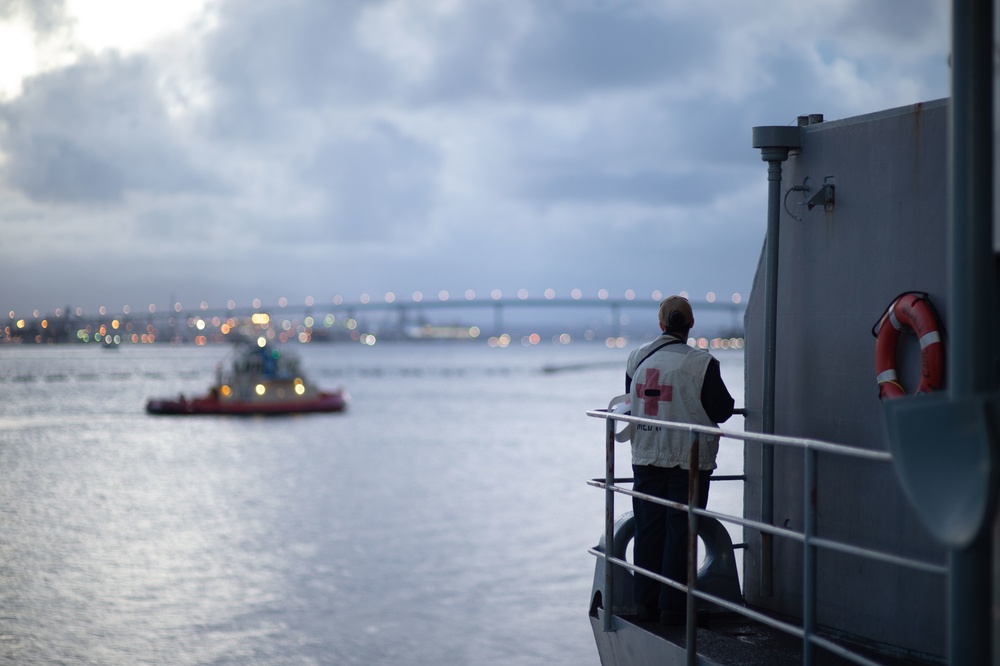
[(667, 385)]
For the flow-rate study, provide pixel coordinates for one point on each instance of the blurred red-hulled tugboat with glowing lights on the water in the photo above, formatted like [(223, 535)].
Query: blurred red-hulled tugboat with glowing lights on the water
[(258, 379)]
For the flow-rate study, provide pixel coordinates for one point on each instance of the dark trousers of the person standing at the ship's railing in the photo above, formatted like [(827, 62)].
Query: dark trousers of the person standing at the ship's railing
[(661, 534)]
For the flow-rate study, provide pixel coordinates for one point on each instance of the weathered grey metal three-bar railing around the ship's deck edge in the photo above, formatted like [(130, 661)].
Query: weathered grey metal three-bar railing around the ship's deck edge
[(810, 542)]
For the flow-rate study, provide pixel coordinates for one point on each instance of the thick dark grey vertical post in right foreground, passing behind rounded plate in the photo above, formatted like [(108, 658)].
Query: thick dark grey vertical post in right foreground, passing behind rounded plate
[(972, 296)]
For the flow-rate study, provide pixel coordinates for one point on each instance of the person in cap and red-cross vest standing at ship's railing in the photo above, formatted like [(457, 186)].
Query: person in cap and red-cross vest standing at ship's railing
[(669, 380)]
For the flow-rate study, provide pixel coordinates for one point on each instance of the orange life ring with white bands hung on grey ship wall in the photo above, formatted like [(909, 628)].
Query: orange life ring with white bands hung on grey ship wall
[(911, 310)]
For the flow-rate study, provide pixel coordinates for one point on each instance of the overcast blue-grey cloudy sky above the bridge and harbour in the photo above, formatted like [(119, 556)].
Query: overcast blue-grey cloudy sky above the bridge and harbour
[(242, 149)]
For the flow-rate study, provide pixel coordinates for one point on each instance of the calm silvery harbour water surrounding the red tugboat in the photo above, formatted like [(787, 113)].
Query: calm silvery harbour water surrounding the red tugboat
[(444, 519)]
